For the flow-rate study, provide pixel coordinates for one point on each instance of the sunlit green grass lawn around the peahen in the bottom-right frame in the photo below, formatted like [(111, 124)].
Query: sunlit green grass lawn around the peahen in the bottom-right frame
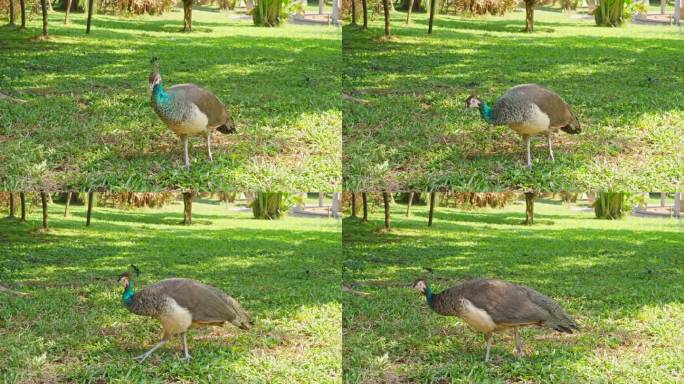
[(623, 281)]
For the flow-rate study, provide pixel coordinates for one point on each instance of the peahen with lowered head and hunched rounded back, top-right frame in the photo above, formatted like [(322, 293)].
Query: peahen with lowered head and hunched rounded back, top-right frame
[(530, 110)]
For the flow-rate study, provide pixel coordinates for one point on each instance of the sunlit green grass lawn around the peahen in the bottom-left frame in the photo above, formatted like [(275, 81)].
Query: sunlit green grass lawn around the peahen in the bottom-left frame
[(73, 327)]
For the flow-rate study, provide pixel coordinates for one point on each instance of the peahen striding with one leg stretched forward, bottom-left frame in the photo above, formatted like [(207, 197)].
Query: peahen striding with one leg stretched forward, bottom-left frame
[(182, 304)]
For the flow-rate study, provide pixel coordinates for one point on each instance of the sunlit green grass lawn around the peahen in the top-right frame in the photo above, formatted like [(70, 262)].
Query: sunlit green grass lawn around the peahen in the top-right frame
[(624, 85)]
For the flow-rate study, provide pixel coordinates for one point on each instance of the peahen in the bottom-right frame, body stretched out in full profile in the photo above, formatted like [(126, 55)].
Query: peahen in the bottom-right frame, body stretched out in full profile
[(494, 305)]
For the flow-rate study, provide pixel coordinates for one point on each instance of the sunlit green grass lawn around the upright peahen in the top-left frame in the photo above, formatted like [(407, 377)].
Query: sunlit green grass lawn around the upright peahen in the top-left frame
[(88, 122)]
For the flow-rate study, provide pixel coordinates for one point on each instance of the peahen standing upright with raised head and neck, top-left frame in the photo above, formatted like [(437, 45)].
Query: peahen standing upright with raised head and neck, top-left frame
[(188, 110)]
